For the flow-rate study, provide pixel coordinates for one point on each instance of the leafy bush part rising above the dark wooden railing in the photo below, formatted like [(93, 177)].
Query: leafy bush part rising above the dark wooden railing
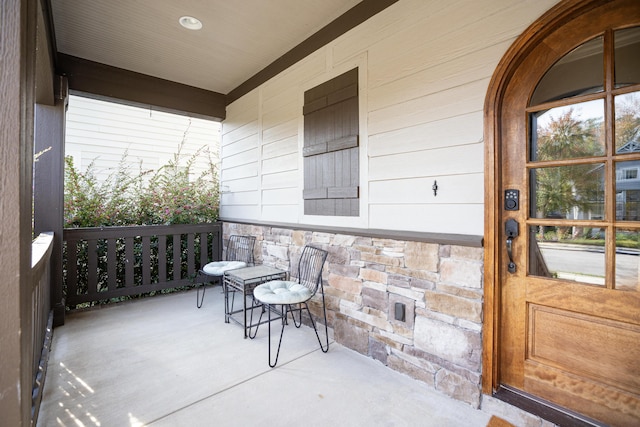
[(169, 195)]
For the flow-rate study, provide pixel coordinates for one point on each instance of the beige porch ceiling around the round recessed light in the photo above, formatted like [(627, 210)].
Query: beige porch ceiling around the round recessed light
[(238, 39)]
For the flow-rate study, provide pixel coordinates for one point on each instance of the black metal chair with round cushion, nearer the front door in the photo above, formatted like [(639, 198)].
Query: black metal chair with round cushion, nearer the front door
[(292, 296)]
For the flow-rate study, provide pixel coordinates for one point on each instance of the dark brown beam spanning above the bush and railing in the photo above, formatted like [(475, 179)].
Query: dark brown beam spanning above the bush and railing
[(102, 81)]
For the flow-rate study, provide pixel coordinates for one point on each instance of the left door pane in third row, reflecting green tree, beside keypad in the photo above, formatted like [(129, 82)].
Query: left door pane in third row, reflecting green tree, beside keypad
[(568, 192)]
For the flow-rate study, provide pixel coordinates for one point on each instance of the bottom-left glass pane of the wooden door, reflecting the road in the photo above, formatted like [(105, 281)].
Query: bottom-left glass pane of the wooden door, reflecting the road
[(568, 253)]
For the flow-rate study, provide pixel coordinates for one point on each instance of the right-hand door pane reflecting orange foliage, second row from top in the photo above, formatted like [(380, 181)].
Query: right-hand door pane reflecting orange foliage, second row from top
[(628, 123)]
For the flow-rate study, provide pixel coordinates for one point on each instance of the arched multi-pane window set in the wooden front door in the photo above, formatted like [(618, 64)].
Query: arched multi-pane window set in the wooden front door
[(584, 163)]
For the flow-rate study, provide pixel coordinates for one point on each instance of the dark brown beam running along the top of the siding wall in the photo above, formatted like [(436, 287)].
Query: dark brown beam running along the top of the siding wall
[(351, 19)]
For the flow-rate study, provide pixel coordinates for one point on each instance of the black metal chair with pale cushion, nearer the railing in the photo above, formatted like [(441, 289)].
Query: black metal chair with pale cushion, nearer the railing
[(239, 255)]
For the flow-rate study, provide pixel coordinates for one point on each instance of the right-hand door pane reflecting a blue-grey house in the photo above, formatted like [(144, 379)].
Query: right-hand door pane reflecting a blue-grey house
[(628, 191)]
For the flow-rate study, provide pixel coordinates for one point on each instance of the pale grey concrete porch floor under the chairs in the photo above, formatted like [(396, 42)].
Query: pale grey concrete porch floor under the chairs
[(163, 362)]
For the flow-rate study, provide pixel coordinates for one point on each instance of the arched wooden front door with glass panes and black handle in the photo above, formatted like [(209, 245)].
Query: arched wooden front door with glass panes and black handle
[(570, 218)]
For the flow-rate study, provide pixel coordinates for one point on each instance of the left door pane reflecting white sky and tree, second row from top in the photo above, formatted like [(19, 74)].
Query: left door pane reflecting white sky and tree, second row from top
[(568, 132)]
